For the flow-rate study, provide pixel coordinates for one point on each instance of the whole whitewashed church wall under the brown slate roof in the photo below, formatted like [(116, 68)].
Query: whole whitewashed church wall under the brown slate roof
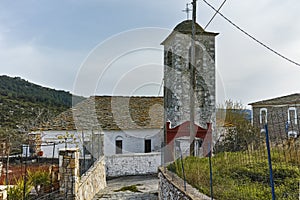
[(133, 141)]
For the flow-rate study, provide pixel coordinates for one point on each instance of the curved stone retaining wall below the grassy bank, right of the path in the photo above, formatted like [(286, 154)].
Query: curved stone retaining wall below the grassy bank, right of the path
[(172, 187)]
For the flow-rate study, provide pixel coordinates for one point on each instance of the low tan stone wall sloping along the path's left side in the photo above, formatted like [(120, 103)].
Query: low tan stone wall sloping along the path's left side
[(92, 181)]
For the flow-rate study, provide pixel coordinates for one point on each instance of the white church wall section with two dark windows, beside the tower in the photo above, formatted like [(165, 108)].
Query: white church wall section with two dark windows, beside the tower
[(133, 140)]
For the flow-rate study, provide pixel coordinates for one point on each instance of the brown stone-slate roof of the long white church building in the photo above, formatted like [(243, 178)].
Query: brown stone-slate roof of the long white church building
[(111, 113)]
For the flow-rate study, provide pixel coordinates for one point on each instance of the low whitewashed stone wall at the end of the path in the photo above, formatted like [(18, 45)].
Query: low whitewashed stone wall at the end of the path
[(132, 164)]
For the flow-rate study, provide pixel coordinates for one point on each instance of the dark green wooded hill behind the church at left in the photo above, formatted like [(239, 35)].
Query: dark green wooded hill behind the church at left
[(24, 105)]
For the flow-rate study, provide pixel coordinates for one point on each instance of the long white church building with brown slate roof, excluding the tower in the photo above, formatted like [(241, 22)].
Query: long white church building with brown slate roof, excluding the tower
[(120, 128)]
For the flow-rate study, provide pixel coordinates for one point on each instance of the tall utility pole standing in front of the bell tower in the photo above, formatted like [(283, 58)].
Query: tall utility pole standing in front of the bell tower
[(192, 82)]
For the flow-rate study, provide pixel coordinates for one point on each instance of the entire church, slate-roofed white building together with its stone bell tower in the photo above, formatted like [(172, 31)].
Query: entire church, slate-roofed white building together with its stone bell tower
[(148, 126)]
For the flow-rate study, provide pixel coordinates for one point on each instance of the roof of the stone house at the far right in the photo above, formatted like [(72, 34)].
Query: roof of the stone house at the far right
[(283, 100)]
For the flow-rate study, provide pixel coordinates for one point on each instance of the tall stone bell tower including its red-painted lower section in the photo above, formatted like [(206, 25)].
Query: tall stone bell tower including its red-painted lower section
[(178, 88)]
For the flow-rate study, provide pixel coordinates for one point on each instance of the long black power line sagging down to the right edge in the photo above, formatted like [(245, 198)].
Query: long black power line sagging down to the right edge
[(252, 37)]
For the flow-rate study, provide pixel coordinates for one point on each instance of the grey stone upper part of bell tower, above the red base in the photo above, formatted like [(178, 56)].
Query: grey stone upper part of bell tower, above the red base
[(177, 67)]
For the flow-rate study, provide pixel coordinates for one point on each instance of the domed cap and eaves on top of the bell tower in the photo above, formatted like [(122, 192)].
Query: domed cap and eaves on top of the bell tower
[(185, 27)]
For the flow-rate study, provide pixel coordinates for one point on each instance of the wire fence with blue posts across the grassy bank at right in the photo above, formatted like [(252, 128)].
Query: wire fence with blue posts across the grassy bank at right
[(259, 161)]
